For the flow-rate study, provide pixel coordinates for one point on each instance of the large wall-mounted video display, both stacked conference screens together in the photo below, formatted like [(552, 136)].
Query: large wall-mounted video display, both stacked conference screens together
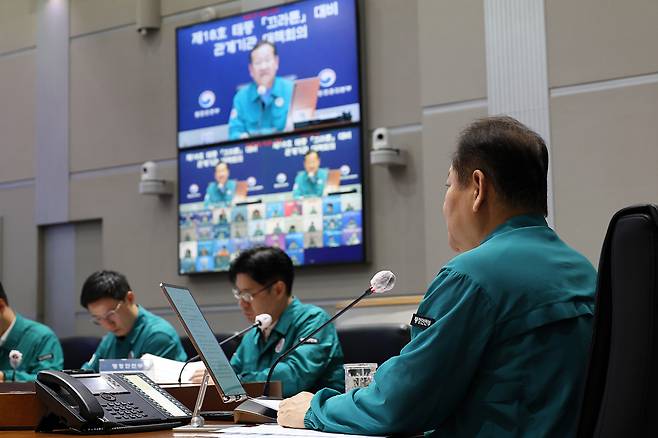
[(256, 93)]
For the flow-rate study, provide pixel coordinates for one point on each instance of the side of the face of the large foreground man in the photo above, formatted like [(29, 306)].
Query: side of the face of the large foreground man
[(457, 211)]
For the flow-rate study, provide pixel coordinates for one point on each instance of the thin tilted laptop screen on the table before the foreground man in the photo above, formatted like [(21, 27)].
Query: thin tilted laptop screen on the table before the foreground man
[(251, 410)]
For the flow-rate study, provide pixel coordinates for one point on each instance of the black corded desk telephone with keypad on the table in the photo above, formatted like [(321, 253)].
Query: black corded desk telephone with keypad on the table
[(106, 403)]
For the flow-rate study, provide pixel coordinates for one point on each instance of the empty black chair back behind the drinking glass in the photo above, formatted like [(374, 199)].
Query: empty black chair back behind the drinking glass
[(373, 343)]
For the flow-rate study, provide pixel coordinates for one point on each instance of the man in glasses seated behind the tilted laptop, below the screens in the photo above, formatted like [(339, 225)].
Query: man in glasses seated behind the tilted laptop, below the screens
[(263, 280)]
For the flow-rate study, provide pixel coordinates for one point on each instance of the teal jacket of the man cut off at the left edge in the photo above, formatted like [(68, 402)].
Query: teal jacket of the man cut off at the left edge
[(40, 347)]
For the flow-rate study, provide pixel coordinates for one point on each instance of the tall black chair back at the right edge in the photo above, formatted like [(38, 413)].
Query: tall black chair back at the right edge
[(621, 388)]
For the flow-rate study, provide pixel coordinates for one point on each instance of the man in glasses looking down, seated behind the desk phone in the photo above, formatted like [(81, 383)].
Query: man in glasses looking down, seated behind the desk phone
[(132, 330)]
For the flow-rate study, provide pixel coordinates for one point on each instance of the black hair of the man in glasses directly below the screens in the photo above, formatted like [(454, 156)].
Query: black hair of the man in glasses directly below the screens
[(265, 265)]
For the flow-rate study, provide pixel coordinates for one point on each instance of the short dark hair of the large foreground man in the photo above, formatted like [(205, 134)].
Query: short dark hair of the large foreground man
[(511, 155)]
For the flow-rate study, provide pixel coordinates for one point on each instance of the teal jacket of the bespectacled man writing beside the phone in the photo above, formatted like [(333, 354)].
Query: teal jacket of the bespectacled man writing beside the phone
[(150, 334)]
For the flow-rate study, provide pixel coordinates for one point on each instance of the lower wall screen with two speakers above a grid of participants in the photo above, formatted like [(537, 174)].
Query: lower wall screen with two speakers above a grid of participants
[(300, 192)]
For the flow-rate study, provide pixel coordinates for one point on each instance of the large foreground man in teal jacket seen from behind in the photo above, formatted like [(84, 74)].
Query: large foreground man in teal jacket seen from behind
[(500, 341)]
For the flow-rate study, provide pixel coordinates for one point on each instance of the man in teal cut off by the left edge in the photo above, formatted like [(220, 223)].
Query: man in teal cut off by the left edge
[(38, 345)]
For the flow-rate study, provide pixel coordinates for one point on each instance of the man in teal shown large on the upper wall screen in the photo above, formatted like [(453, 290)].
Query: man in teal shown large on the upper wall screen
[(261, 107)]
